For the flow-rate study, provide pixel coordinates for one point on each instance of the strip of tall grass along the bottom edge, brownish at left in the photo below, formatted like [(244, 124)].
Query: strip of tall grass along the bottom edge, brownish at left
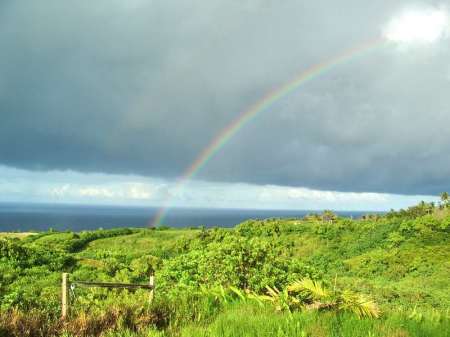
[(205, 317)]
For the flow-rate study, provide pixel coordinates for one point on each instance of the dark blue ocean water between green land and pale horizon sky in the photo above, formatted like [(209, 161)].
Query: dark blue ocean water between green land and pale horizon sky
[(39, 217)]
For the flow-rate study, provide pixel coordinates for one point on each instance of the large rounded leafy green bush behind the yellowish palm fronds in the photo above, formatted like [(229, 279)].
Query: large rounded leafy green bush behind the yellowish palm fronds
[(246, 263)]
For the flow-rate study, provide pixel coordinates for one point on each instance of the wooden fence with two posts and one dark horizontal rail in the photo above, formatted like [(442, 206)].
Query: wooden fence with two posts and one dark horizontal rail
[(66, 284)]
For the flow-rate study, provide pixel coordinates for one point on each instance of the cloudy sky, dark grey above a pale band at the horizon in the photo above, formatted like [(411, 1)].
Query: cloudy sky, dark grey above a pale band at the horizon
[(110, 102)]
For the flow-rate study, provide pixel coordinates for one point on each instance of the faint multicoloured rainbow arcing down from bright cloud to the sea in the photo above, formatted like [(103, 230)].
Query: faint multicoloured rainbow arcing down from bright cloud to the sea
[(263, 104)]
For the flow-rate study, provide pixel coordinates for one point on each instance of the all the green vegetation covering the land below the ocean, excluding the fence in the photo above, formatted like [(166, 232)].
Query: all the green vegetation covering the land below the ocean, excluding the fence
[(318, 276)]
